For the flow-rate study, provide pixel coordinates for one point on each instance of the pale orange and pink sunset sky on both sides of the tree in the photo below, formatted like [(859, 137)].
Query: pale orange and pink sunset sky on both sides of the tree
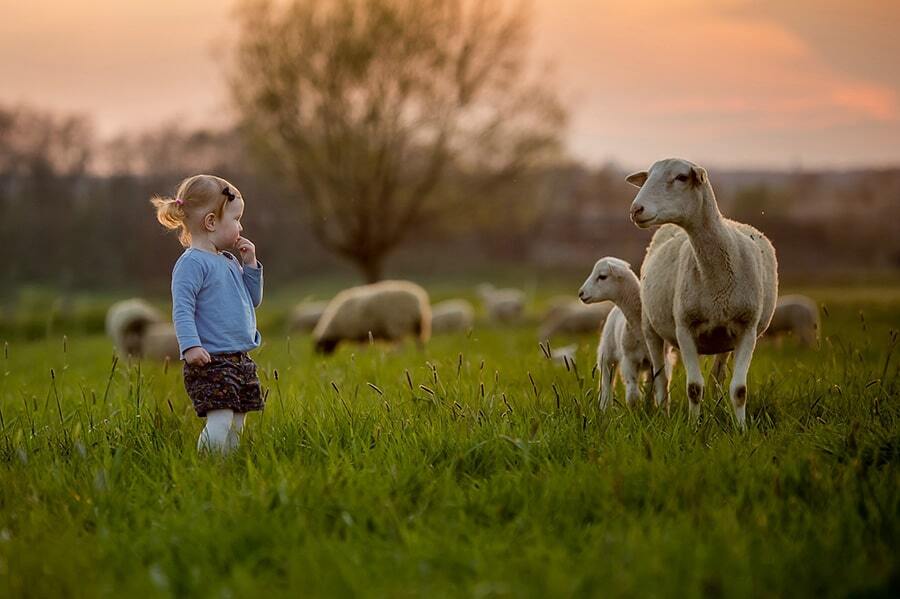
[(751, 83)]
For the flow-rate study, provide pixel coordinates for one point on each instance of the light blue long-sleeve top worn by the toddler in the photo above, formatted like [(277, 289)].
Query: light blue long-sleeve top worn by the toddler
[(213, 301)]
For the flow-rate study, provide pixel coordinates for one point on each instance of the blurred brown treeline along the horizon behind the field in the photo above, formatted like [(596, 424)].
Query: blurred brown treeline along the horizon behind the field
[(74, 213)]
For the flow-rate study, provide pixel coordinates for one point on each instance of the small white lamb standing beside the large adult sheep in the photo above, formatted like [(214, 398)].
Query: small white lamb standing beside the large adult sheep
[(622, 342)]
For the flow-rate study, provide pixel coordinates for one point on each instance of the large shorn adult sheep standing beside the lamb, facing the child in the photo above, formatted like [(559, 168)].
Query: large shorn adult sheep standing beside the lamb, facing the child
[(708, 284)]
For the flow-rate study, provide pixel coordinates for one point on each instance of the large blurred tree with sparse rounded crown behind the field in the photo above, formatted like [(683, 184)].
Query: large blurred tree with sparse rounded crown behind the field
[(365, 105)]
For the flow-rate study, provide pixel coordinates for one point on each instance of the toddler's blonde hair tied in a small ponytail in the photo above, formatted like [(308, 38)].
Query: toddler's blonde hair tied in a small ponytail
[(197, 195)]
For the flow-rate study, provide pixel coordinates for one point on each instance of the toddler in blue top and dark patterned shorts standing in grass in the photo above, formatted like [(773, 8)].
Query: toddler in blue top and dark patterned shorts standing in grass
[(213, 299)]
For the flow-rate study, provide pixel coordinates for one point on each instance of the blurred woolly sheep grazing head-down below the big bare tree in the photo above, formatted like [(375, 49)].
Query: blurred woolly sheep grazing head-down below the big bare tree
[(389, 310)]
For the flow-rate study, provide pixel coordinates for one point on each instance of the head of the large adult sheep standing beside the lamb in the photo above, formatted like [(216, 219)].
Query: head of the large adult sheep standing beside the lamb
[(672, 191)]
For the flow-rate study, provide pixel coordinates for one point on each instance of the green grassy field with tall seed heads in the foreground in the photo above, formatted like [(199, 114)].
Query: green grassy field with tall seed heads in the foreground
[(477, 468)]
